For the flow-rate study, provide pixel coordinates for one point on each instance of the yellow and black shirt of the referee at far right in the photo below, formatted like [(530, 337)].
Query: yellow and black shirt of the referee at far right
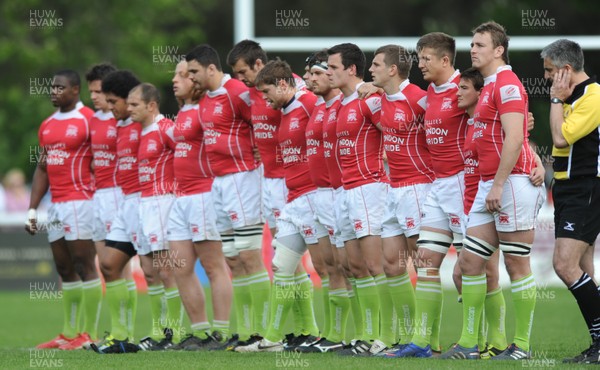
[(581, 129)]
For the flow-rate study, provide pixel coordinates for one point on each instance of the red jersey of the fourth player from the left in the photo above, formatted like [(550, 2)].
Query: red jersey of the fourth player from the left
[(155, 158)]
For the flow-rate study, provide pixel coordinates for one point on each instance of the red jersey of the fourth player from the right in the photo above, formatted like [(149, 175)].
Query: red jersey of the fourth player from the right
[(404, 136)]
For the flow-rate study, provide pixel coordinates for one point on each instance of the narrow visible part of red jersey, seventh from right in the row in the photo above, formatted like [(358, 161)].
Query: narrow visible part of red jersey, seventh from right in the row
[(314, 146)]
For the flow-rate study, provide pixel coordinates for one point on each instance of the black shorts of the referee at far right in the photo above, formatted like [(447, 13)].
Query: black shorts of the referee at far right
[(577, 209)]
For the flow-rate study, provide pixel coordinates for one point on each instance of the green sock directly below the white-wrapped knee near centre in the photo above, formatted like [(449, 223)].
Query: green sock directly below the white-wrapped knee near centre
[(284, 299)]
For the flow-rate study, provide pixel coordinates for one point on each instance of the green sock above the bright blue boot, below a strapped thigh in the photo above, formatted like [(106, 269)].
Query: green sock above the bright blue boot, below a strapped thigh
[(428, 297)]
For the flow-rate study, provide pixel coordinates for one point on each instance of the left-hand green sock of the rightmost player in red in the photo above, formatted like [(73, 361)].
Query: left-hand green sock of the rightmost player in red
[(473, 293)]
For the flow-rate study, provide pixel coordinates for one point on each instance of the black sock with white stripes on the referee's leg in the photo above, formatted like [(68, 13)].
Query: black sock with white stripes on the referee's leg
[(586, 294)]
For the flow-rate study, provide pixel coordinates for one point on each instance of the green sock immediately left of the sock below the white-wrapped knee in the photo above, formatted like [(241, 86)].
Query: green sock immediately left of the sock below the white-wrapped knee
[(259, 286)]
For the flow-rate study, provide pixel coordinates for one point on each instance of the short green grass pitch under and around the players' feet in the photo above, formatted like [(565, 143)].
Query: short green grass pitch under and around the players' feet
[(558, 332)]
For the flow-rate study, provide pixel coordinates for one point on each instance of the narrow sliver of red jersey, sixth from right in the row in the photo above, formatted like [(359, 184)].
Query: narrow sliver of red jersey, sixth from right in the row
[(330, 143)]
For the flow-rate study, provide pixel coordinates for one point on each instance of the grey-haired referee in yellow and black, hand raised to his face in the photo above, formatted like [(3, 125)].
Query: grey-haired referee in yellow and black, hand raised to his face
[(574, 123)]
